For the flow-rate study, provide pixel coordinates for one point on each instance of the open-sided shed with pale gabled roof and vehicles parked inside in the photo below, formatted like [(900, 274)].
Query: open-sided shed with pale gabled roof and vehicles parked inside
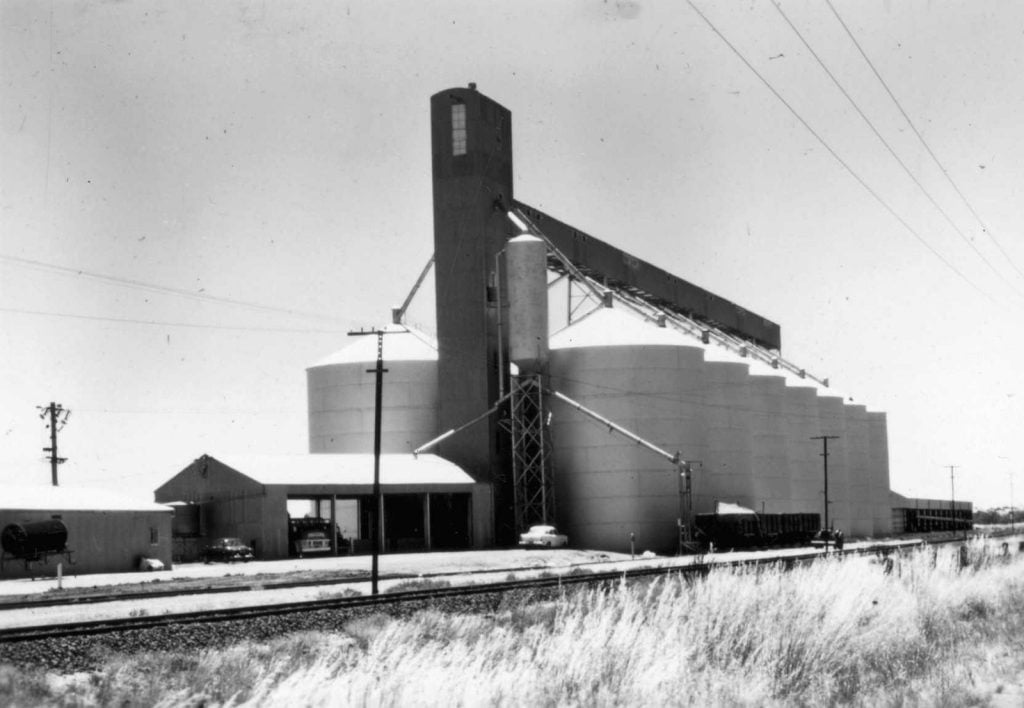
[(428, 503)]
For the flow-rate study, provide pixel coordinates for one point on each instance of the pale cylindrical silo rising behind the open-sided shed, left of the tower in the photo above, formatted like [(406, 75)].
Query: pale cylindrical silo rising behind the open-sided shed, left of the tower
[(342, 395)]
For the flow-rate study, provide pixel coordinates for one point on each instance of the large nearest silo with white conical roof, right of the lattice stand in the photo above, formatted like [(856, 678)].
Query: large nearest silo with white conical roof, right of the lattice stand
[(649, 381)]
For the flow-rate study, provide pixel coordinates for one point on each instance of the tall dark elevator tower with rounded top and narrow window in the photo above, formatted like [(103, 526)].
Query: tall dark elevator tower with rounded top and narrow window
[(473, 182)]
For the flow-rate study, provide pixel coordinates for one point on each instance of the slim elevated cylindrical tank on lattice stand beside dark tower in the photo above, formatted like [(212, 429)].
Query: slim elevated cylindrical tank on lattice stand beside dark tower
[(527, 274)]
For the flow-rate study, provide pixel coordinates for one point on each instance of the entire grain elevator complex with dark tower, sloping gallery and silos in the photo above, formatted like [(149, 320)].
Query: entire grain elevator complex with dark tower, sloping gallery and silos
[(648, 401)]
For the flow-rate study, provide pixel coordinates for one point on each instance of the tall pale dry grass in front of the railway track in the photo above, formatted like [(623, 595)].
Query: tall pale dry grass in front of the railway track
[(927, 633)]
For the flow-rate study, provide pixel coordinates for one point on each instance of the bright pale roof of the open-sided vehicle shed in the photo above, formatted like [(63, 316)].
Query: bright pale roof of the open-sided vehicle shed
[(347, 470)]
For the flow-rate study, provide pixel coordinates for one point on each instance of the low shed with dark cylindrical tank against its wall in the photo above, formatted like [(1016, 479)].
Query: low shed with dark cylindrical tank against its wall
[(87, 530)]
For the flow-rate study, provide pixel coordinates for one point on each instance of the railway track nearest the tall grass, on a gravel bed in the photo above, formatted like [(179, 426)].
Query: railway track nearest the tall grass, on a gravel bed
[(572, 578)]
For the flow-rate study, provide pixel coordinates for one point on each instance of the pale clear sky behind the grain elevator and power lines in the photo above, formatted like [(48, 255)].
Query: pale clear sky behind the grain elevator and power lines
[(279, 153)]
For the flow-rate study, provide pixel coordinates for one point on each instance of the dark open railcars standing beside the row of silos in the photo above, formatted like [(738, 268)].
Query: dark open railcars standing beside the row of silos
[(731, 529)]
